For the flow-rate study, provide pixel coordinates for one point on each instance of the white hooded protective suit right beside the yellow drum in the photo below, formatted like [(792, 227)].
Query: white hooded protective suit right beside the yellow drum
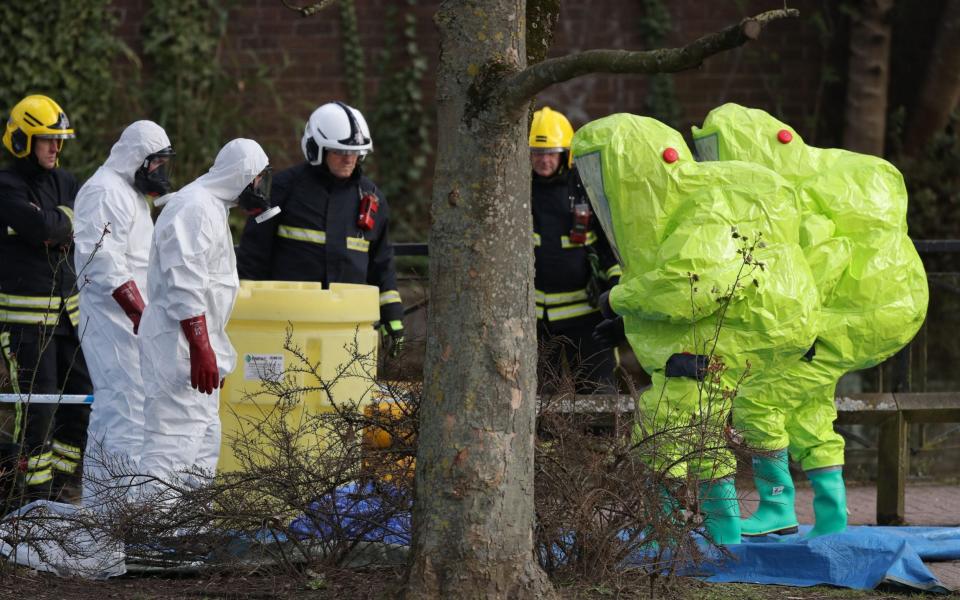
[(193, 271)]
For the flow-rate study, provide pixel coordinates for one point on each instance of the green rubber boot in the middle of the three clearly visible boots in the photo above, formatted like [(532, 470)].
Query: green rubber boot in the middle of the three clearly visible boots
[(775, 512)]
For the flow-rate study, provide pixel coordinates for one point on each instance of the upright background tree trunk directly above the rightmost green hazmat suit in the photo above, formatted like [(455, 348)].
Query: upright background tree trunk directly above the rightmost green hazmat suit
[(868, 76)]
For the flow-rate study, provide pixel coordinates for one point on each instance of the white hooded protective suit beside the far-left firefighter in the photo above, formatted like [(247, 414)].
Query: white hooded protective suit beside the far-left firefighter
[(110, 212)]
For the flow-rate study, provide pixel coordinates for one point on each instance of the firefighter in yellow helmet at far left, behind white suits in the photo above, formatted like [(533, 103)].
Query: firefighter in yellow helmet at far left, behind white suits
[(39, 311)]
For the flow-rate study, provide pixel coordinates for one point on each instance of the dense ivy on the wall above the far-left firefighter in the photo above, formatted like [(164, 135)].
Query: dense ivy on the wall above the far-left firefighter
[(65, 50)]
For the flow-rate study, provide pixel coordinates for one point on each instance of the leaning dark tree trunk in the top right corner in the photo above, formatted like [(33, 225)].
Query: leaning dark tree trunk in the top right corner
[(941, 89)]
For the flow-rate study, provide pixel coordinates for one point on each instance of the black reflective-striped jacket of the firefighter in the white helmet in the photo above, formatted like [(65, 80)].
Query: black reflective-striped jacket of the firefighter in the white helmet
[(316, 238)]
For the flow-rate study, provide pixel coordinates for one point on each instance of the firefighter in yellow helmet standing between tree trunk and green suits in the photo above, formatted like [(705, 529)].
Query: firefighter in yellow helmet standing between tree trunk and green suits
[(573, 263)]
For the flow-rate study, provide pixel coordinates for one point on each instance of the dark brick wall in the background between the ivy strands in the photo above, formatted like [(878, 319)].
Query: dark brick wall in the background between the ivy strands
[(781, 72)]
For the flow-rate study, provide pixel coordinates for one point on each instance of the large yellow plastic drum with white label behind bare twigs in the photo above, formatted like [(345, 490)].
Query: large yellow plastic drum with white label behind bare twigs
[(332, 330)]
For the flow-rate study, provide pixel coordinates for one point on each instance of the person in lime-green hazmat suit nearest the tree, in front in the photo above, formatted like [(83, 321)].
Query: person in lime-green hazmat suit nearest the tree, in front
[(680, 229)]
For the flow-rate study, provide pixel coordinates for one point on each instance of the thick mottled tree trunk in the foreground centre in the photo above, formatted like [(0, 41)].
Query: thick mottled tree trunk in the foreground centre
[(473, 517)]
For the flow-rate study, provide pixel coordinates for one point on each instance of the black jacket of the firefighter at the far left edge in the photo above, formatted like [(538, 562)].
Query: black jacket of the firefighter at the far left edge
[(37, 278)]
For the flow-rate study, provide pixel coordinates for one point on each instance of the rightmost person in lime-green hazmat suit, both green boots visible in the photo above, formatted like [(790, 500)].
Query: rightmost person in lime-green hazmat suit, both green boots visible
[(873, 292)]
